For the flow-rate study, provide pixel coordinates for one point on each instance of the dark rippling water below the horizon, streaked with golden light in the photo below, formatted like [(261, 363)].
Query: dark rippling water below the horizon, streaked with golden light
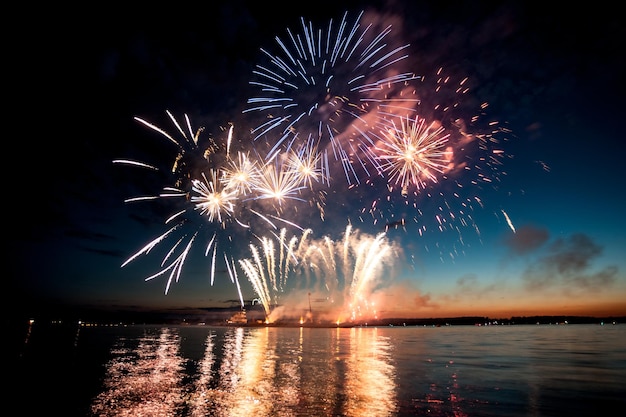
[(518, 370)]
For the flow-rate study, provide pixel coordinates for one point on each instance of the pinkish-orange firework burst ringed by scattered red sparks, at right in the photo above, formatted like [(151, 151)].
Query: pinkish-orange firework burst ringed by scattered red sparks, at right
[(436, 160)]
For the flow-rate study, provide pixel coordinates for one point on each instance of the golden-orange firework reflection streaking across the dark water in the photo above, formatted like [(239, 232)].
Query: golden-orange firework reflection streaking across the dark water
[(257, 371)]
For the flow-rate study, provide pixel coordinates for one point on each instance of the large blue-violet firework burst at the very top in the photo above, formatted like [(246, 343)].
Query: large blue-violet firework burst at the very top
[(326, 89)]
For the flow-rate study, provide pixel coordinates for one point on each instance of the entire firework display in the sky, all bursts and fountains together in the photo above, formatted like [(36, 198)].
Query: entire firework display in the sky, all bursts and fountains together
[(333, 100)]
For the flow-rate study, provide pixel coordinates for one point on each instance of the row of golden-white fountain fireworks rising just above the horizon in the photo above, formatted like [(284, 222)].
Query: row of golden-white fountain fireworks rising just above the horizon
[(344, 272)]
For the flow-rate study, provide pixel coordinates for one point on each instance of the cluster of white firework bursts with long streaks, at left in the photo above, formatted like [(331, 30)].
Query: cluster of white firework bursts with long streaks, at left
[(214, 196)]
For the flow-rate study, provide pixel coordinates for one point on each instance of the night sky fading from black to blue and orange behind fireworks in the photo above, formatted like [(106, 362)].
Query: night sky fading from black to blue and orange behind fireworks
[(528, 218)]
